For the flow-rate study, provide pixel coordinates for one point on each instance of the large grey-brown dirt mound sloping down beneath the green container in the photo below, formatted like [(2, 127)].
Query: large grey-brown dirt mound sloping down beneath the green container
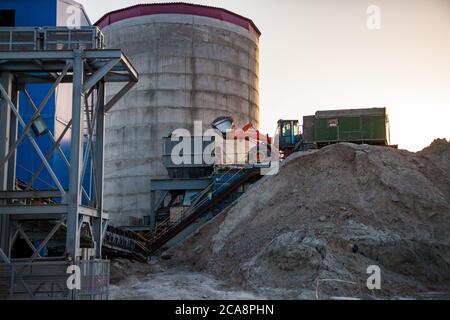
[(315, 227)]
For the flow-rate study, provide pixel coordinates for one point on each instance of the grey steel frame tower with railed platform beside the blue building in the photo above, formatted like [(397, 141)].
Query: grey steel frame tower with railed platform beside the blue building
[(55, 56)]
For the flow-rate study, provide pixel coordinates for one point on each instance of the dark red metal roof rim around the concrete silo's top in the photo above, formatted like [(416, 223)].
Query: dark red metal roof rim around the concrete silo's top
[(177, 8)]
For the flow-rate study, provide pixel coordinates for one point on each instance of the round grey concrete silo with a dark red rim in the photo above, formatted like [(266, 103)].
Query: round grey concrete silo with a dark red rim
[(195, 63)]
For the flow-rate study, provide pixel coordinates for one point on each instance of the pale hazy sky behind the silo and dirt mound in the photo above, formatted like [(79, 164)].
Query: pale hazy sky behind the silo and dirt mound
[(328, 54)]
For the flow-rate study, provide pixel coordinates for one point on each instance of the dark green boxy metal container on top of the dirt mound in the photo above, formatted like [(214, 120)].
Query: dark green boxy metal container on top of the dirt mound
[(352, 125)]
